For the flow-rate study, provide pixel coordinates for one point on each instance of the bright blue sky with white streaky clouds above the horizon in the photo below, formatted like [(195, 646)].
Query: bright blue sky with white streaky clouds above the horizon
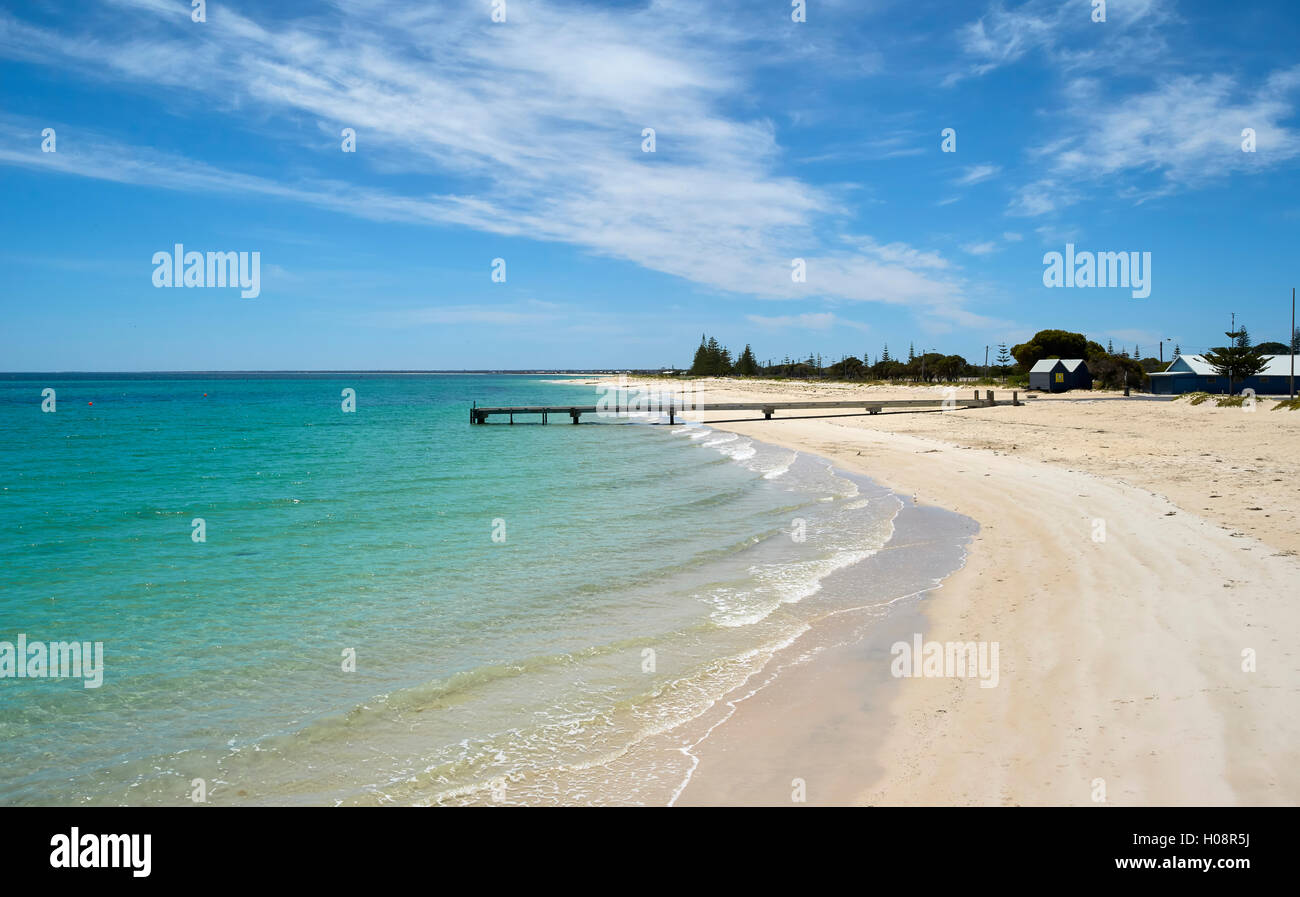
[(523, 141)]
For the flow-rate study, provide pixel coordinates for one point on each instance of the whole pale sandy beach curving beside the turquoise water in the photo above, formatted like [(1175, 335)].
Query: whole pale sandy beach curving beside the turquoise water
[(1147, 666)]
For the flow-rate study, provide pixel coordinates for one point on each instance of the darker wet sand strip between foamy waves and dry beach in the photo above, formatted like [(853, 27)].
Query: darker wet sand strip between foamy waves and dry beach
[(844, 661)]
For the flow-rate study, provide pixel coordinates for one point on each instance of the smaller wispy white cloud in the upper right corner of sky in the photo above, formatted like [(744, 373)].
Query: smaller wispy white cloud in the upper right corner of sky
[(1186, 128)]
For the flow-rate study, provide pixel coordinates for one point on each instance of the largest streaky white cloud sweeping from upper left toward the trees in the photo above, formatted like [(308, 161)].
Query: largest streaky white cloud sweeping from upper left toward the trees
[(539, 125)]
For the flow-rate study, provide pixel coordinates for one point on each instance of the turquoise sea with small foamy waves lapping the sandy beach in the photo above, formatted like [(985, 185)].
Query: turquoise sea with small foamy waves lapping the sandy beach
[(640, 573)]
